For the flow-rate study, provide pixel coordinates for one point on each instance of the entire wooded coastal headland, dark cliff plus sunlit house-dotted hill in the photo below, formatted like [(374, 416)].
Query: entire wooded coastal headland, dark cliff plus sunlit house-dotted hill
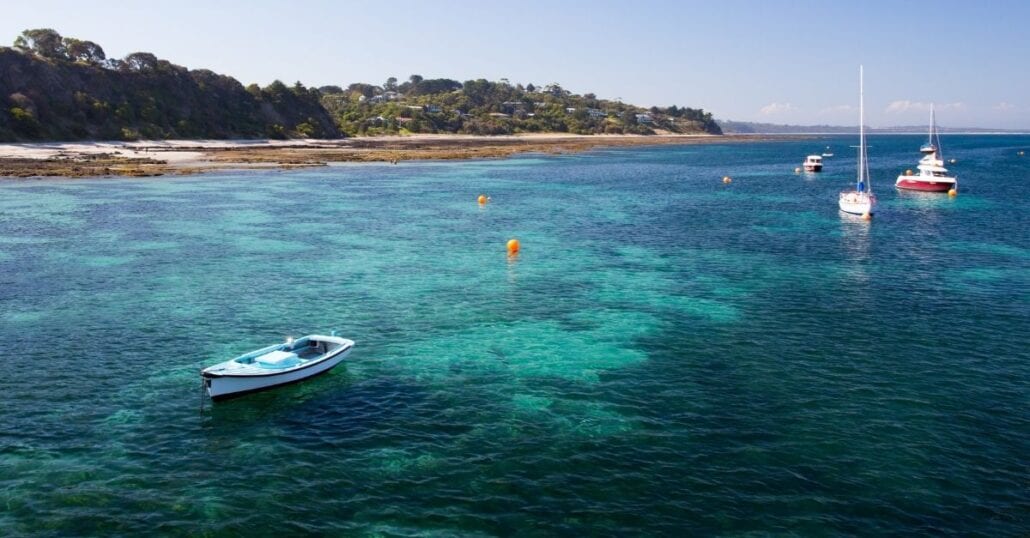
[(55, 88)]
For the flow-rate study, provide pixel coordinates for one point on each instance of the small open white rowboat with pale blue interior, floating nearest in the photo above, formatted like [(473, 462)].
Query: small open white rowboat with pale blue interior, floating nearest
[(276, 365)]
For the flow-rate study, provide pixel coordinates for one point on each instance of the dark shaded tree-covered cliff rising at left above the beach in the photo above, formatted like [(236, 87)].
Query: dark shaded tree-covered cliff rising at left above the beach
[(54, 88)]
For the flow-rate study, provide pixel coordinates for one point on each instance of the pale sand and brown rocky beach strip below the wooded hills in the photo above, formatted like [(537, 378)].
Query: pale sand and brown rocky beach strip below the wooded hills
[(154, 158)]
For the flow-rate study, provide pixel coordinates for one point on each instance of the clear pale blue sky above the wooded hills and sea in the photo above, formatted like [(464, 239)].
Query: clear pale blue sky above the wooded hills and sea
[(781, 62)]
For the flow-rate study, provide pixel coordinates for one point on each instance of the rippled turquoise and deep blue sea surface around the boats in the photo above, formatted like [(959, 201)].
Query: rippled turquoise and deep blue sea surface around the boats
[(668, 355)]
